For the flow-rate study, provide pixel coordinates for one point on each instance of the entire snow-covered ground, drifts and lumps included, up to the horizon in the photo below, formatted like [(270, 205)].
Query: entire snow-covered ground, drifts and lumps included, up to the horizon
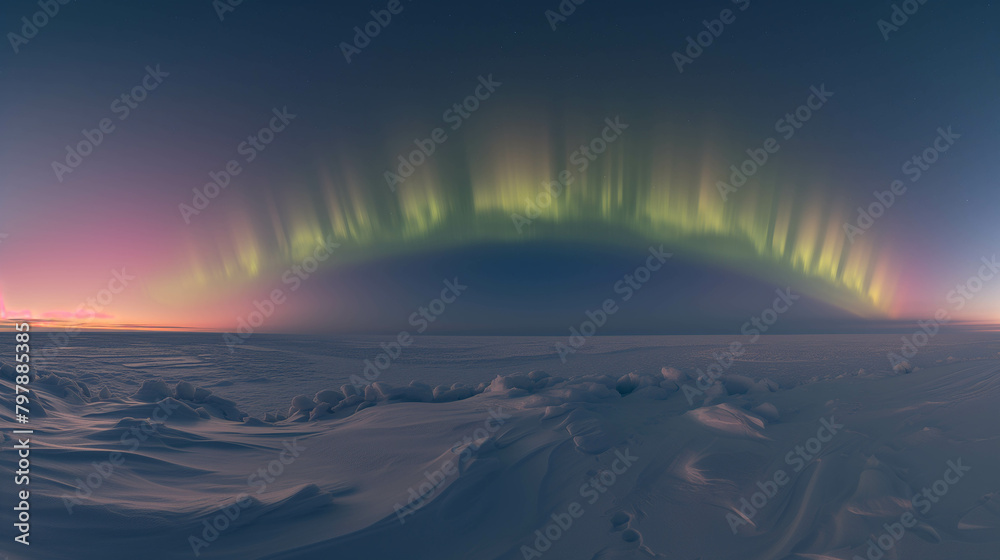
[(807, 447)]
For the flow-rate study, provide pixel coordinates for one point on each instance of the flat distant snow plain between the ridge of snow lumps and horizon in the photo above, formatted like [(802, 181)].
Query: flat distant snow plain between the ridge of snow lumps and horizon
[(268, 371)]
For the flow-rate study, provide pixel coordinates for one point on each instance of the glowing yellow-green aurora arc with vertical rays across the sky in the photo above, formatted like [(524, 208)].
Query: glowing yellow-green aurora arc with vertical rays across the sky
[(496, 191)]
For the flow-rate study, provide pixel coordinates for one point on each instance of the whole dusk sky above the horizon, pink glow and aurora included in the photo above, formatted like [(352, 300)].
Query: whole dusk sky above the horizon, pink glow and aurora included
[(200, 84)]
